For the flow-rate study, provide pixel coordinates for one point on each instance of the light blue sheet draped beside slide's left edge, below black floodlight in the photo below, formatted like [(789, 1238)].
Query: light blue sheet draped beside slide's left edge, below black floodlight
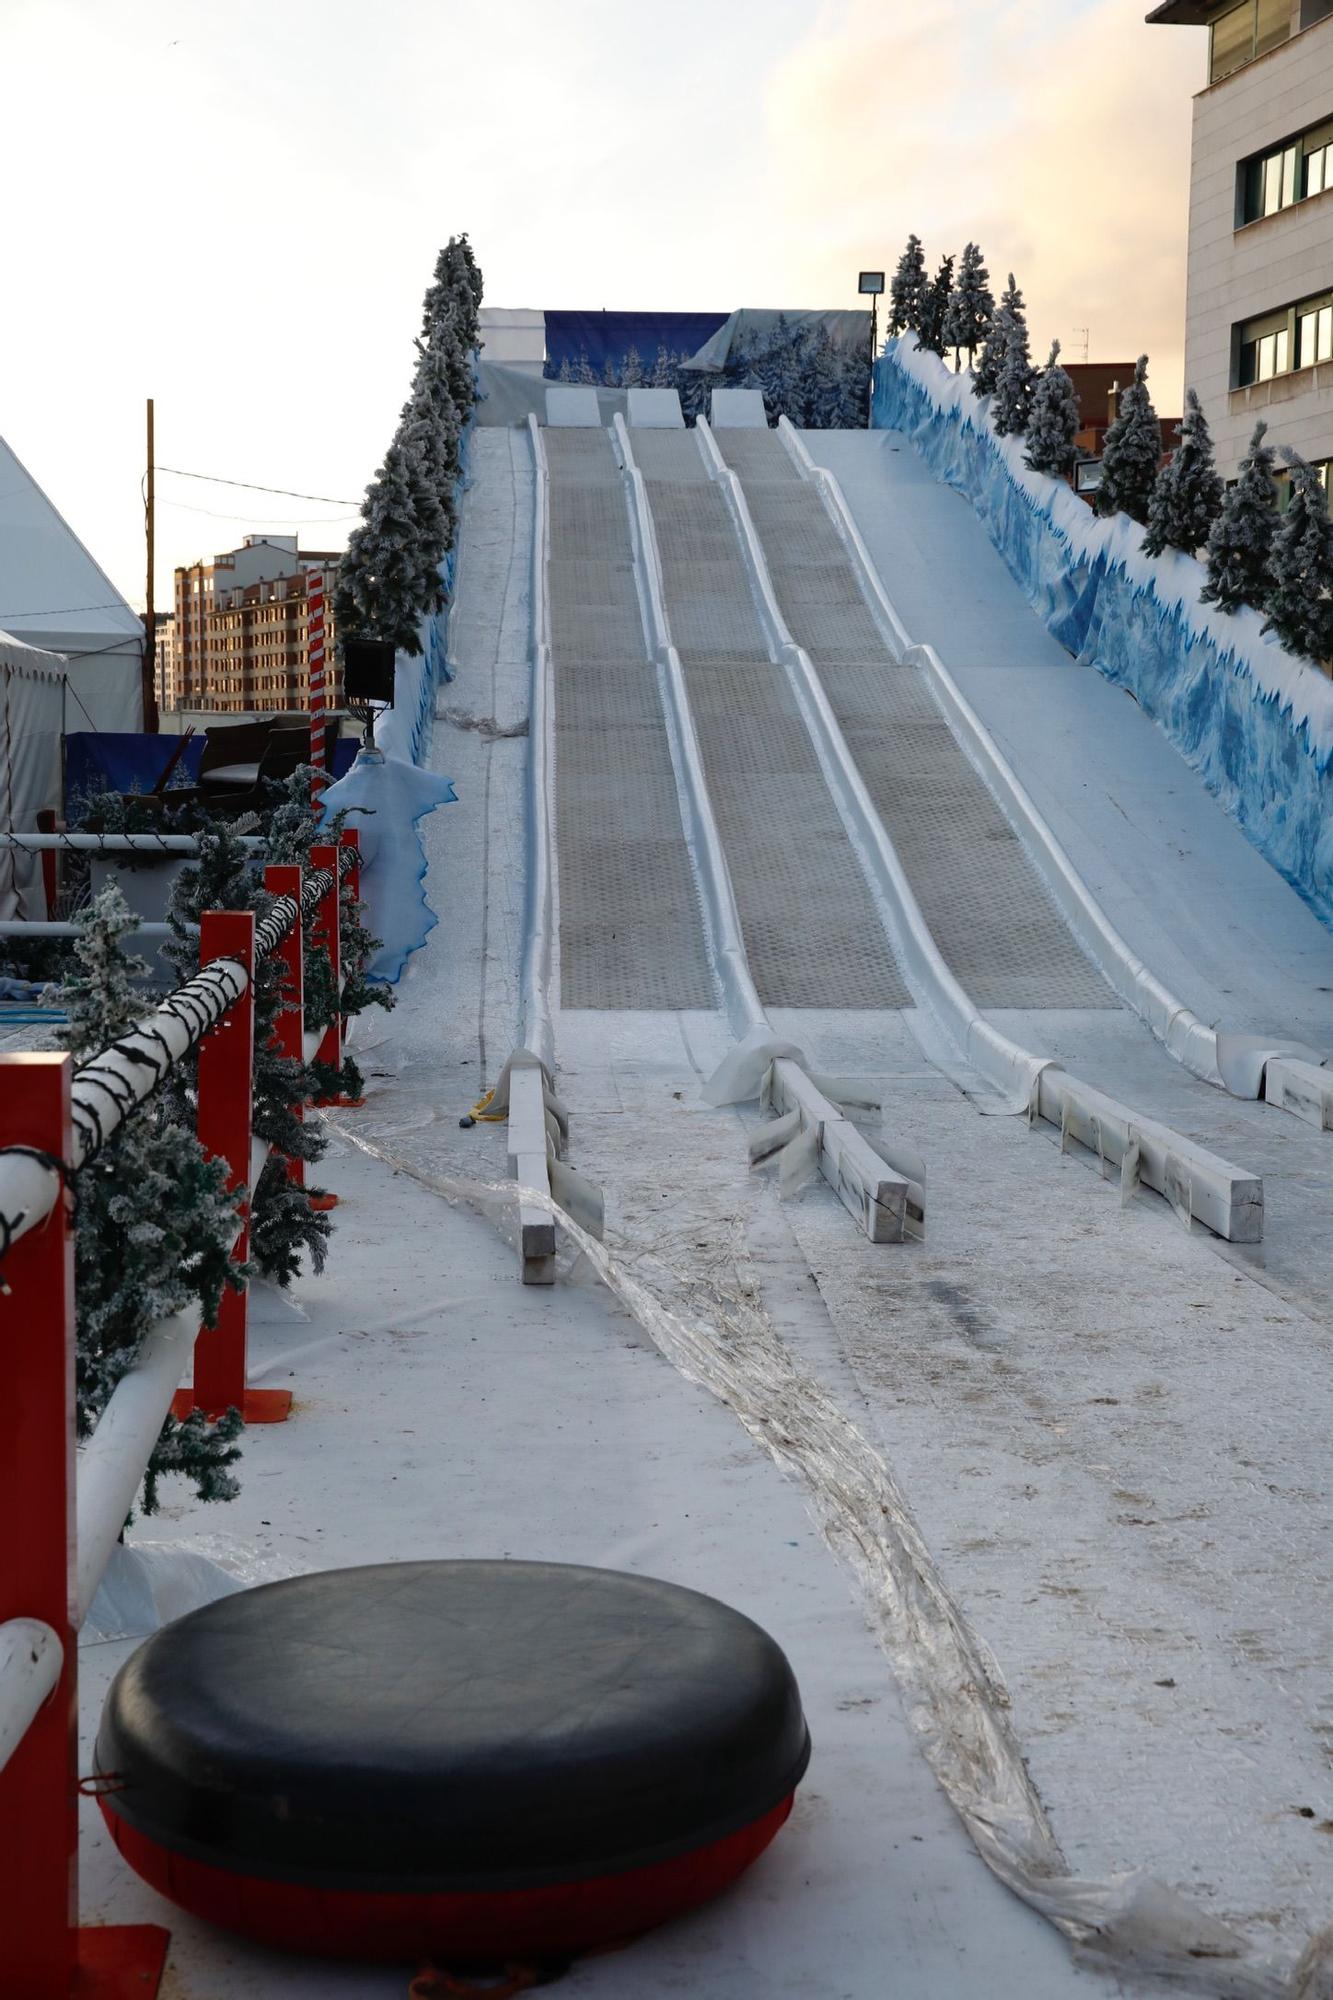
[(385, 799)]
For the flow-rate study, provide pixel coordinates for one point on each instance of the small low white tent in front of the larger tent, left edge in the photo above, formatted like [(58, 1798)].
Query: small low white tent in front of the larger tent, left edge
[(31, 707)]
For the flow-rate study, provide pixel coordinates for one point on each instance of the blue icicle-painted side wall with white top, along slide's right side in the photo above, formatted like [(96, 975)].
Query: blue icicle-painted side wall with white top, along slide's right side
[(1250, 717)]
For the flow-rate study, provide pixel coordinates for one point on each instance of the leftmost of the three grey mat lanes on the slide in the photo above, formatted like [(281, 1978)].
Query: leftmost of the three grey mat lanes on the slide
[(631, 933)]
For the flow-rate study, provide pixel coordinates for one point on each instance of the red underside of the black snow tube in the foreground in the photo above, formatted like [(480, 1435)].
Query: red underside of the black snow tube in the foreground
[(551, 1923)]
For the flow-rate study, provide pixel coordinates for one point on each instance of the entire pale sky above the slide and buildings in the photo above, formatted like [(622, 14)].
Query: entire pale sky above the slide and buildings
[(235, 207)]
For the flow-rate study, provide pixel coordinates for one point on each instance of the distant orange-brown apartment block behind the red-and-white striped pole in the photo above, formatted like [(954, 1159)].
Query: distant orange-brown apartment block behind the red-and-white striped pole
[(241, 639)]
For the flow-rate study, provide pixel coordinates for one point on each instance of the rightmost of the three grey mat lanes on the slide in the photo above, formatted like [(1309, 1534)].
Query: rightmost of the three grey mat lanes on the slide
[(980, 893)]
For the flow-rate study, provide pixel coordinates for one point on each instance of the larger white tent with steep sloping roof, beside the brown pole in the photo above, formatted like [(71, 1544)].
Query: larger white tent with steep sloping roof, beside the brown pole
[(55, 597)]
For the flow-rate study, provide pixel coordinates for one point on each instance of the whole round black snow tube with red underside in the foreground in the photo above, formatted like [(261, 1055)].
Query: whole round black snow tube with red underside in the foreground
[(459, 1761)]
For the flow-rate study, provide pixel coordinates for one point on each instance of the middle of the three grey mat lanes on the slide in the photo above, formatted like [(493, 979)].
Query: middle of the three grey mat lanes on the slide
[(812, 931)]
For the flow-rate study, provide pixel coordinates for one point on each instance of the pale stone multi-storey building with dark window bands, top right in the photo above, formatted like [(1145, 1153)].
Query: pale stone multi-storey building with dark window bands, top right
[(1260, 291)]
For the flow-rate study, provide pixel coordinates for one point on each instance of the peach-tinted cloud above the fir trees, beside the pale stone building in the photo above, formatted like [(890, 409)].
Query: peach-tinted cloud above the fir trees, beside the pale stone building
[(1054, 135)]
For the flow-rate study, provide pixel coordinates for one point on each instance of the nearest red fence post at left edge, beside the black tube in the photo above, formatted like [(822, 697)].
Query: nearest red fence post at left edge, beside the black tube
[(43, 1955)]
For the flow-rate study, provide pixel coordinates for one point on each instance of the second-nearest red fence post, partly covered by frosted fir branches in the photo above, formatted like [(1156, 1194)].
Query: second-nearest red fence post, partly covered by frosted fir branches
[(225, 1105)]
